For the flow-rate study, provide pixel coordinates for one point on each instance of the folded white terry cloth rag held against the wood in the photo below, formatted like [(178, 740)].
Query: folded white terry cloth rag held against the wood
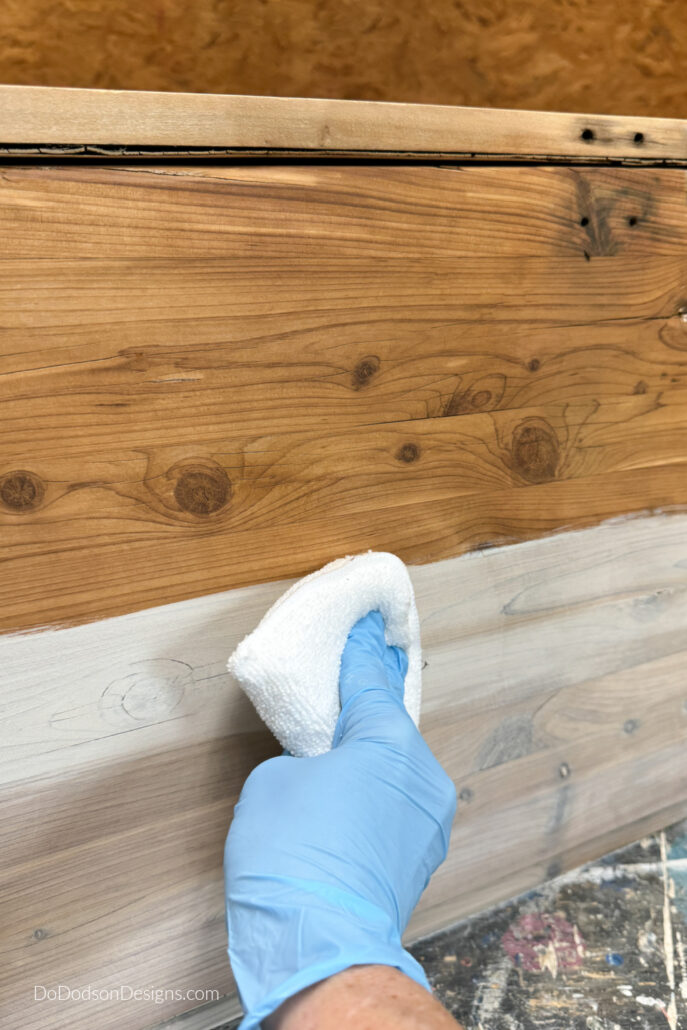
[(290, 665)]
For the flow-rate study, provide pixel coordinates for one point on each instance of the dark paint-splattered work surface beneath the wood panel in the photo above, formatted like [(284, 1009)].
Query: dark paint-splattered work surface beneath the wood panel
[(603, 948)]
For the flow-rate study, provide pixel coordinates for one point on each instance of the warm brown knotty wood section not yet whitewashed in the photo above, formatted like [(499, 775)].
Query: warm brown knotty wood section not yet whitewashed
[(212, 379)]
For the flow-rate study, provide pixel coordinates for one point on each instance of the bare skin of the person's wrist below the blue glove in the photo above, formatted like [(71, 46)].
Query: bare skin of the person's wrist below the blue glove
[(372, 998)]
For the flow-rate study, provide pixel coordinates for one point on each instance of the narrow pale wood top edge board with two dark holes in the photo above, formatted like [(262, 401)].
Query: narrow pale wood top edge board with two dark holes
[(32, 118)]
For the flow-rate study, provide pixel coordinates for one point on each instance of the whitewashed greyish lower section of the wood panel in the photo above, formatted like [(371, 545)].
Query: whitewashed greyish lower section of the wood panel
[(126, 743)]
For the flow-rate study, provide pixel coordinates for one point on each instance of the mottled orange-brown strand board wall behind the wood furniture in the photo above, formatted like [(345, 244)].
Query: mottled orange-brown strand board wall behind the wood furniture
[(566, 55)]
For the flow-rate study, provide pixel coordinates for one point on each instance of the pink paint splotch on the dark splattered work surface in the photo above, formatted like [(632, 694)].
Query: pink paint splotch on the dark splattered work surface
[(542, 942)]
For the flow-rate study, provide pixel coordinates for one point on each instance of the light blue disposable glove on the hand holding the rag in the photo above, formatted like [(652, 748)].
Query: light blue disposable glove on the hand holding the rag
[(327, 857)]
